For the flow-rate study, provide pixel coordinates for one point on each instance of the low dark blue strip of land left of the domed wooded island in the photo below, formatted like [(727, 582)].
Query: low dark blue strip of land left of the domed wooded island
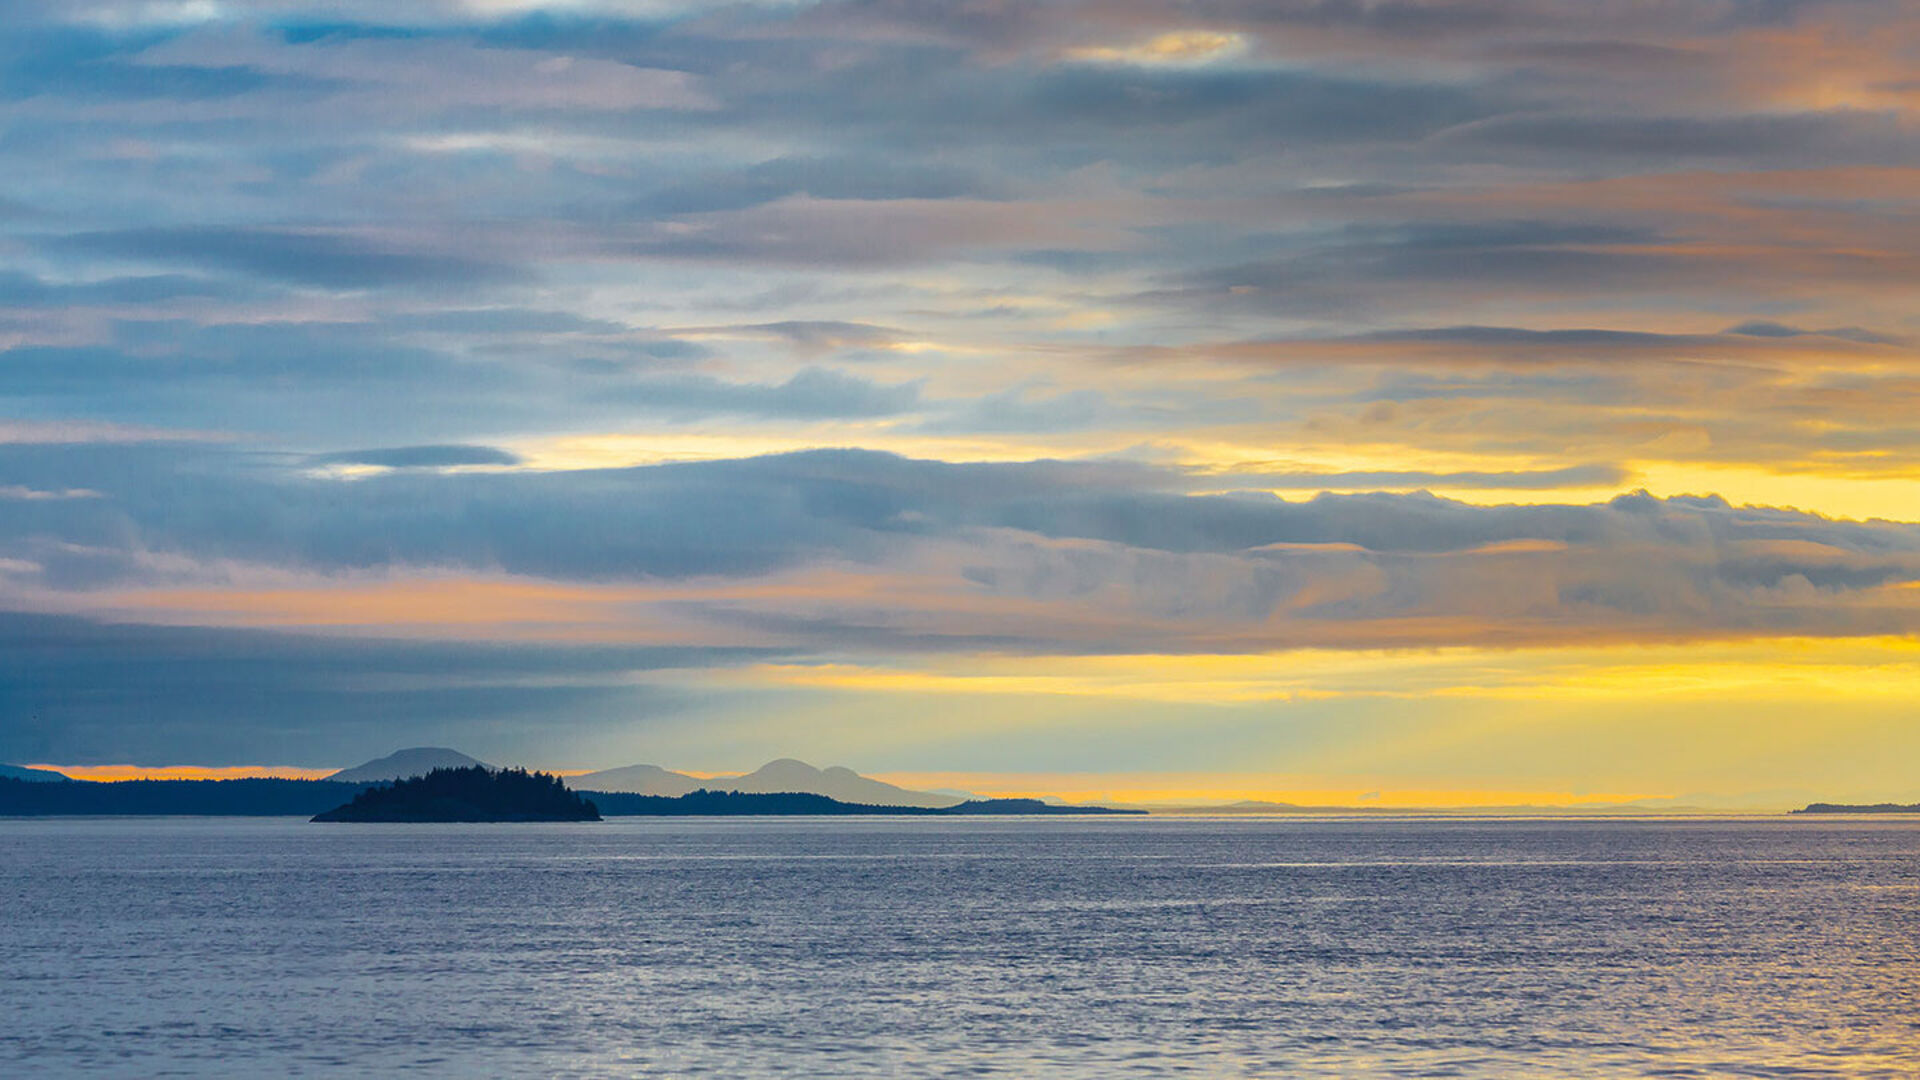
[(206, 798)]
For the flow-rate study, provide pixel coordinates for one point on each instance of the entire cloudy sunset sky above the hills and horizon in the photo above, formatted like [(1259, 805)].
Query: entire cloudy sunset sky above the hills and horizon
[(1328, 401)]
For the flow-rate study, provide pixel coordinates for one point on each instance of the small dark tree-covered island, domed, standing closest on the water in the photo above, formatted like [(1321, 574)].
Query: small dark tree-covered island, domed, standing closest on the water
[(468, 795)]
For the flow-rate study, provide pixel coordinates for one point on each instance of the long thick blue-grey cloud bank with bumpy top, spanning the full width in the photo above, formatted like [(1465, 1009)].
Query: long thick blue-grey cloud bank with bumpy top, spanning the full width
[(1034, 556)]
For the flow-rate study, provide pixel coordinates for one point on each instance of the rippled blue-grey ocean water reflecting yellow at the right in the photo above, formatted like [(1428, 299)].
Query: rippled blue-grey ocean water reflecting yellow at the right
[(961, 948)]
